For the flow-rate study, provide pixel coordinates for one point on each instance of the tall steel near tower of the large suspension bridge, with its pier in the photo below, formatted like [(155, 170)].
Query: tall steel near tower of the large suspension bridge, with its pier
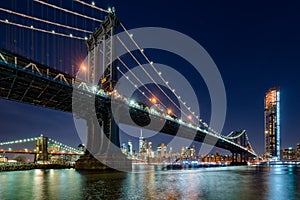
[(102, 71)]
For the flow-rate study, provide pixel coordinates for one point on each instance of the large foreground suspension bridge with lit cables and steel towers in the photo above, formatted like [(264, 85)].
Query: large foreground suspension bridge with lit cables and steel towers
[(24, 80)]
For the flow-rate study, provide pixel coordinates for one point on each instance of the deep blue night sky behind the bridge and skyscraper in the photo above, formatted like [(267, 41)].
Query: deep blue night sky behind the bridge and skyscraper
[(254, 44)]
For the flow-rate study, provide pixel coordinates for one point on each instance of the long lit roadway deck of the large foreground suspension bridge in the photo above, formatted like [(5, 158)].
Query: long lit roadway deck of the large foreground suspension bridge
[(29, 82)]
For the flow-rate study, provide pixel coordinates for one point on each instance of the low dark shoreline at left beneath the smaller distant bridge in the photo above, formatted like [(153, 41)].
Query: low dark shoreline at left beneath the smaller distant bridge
[(29, 166)]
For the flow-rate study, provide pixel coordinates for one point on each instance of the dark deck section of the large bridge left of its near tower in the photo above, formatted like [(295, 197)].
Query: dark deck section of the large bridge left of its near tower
[(41, 88)]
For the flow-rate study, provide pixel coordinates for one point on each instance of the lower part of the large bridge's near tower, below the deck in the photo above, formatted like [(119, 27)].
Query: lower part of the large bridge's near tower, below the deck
[(103, 146)]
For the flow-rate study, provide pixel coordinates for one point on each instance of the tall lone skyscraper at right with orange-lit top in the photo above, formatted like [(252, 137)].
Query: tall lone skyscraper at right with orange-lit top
[(272, 123)]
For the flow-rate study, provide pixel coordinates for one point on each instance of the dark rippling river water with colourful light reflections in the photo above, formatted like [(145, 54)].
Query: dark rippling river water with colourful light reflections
[(150, 182)]
